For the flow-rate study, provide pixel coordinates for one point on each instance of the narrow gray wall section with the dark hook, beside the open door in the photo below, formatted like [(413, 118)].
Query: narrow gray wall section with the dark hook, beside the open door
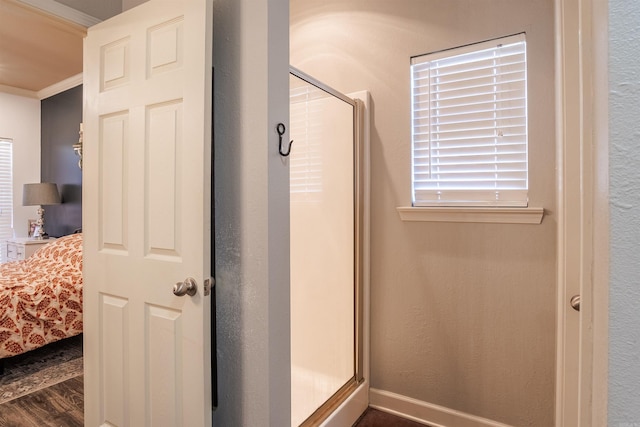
[(251, 190)]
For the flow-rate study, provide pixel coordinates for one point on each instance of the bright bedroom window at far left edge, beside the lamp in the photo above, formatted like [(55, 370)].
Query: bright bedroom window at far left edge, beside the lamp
[(6, 194)]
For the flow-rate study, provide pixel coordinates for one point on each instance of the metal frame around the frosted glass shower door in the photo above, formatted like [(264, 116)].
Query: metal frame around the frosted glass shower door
[(338, 398)]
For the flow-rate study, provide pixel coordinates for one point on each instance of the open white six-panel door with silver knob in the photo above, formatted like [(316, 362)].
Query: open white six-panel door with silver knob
[(146, 192)]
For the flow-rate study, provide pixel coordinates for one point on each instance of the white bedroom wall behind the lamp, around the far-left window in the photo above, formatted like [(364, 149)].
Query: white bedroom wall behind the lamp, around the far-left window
[(20, 121)]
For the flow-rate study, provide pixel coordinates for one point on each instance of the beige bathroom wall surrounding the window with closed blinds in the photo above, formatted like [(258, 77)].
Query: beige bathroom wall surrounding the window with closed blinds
[(462, 315)]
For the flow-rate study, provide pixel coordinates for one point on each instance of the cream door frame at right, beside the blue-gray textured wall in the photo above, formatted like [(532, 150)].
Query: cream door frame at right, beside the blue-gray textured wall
[(582, 172)]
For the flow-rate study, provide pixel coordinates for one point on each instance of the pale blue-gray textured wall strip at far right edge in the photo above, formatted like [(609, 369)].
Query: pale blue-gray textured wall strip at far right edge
[(624, 148)]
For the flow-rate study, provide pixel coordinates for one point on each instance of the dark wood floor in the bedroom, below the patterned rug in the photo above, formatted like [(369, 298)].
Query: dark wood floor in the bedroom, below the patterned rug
[(60, 405)]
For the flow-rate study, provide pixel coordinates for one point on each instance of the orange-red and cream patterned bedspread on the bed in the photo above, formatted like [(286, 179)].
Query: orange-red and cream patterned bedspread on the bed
[(41, 297)]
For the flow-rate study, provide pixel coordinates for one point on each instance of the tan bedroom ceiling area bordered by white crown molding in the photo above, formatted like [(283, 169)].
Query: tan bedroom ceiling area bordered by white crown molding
[(37, 50)]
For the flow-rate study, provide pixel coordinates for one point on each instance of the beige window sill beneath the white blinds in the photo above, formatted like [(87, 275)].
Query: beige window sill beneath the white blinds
[(482, 215)]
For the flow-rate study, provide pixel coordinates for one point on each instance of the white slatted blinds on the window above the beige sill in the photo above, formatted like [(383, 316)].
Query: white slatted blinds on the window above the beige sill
[(469, 125)]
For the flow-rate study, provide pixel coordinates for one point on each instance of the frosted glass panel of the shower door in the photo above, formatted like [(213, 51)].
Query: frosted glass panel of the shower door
[(322, 247)]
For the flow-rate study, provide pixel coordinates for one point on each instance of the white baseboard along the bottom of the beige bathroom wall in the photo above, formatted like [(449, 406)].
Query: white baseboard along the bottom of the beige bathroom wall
[(426, 413)]
